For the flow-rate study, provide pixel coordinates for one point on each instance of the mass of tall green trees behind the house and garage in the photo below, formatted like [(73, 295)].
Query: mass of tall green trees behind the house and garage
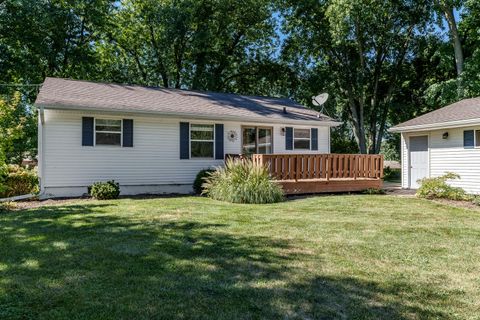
[(381, 61)]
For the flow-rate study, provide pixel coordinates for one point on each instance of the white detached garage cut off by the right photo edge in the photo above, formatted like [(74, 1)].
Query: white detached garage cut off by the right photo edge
[(444, 140)]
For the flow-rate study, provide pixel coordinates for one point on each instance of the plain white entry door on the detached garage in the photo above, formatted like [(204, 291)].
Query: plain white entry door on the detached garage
[(418, 160)]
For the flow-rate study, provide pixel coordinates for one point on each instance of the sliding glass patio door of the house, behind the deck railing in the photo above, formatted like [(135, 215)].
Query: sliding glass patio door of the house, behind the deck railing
[(257, 140)]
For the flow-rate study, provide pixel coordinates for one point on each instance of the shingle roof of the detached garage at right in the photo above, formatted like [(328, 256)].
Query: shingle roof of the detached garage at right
[(467, 109)]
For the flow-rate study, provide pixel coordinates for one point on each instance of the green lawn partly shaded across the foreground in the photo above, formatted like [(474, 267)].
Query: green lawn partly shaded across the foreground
[(355, 257)]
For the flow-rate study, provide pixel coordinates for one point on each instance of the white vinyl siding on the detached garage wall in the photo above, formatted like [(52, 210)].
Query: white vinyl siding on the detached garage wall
[(449, 155)]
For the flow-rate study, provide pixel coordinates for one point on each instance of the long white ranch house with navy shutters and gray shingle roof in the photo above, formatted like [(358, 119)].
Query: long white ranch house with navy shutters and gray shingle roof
[(155, 140)]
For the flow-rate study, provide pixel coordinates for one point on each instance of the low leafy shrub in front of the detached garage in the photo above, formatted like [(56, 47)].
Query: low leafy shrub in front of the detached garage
[(432, 188)]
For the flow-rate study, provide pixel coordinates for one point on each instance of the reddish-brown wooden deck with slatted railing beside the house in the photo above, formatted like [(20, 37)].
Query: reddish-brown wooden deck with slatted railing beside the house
[(317, 173)]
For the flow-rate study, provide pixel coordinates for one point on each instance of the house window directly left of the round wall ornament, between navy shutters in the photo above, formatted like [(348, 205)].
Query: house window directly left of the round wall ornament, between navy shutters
[(202, 140)]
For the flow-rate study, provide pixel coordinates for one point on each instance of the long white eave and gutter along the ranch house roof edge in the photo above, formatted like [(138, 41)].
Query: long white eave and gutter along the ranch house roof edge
[(325, 123)]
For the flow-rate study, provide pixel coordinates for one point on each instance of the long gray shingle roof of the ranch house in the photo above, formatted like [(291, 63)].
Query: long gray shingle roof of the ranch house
[(85, 95)]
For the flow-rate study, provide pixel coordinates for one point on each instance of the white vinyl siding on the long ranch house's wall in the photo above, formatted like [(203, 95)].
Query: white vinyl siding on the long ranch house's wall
[(154, 159)]
